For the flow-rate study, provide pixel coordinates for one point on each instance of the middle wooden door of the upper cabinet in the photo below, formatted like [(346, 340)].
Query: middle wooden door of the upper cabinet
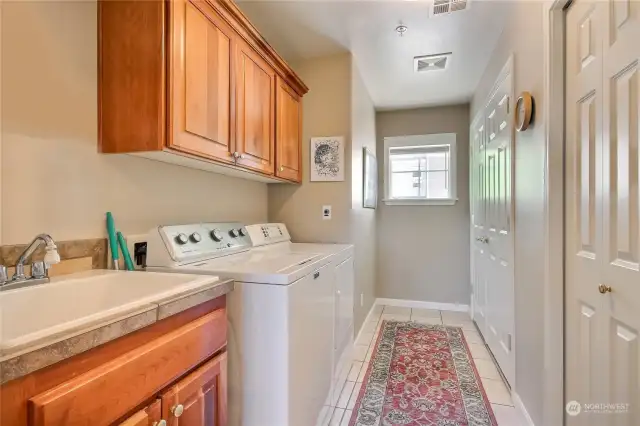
[(255, 102)]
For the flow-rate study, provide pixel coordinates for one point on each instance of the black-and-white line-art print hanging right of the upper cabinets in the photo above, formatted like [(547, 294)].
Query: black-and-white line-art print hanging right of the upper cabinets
[(327, 159)]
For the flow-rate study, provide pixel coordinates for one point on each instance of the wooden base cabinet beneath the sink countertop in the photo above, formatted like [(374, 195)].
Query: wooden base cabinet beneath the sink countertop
[(173, 372)]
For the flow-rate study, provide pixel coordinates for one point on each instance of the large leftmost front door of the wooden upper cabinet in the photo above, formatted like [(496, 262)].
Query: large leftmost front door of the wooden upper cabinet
[(202, 81)]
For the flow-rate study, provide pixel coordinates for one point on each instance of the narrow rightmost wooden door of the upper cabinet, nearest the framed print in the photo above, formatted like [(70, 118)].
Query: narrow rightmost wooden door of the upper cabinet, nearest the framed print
[(288, 132)]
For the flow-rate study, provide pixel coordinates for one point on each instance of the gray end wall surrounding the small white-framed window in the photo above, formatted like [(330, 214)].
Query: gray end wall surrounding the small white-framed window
[(423, 251)]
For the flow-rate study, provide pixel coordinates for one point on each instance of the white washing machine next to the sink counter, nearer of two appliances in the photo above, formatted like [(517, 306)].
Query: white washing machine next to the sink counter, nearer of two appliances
[(280, 319)]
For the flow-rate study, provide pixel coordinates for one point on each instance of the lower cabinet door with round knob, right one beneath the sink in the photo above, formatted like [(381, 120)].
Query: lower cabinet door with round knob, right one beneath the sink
[(200, 399)]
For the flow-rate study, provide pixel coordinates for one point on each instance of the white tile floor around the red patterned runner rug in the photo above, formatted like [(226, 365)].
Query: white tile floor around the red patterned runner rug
[(497, 392)]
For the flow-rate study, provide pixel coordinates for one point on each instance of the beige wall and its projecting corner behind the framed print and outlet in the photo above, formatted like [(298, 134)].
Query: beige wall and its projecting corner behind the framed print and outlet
[(337, 105)]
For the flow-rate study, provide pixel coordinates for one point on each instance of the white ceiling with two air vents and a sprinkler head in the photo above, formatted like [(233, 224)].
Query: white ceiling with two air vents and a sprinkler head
[(301, 29)]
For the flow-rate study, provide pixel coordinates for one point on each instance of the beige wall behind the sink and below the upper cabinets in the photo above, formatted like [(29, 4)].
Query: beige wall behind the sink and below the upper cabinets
[(53, 179)]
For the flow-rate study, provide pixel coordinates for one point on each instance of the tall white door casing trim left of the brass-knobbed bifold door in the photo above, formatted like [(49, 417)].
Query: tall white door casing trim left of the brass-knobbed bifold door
[(554, 191)]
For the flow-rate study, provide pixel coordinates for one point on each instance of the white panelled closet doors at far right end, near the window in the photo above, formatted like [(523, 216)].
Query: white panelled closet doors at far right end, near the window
[(492, 224)]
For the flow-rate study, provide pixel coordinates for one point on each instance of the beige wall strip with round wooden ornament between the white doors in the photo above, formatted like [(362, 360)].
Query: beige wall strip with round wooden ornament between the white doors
[(523, 38)]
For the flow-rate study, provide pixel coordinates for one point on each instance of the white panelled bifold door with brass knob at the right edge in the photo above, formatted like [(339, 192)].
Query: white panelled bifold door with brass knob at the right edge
[(602, 211)]
